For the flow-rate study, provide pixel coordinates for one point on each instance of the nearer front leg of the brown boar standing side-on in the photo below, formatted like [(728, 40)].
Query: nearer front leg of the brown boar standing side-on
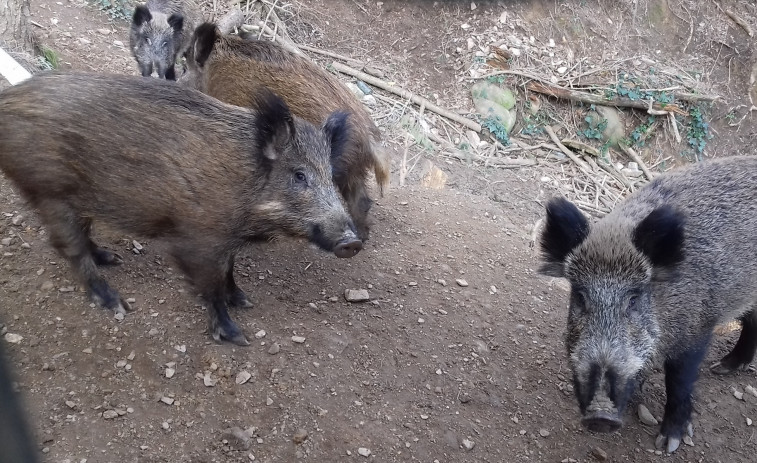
[(210, 279)]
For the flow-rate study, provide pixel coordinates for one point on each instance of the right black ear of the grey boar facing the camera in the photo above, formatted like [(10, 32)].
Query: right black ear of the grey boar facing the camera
[(660, 236)]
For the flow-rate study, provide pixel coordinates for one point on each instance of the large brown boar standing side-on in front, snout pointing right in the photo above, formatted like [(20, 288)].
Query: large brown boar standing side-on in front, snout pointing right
[(157, 160)]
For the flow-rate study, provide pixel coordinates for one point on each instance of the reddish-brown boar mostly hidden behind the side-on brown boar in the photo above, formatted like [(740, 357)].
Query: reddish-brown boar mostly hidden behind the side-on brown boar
[(231, 69)]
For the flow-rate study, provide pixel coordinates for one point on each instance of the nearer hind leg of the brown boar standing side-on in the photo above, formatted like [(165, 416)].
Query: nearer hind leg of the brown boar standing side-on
[(69, 236)]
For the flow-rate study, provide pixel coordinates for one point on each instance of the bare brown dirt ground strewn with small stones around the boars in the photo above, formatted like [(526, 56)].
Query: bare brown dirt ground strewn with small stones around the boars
[(431, 369)]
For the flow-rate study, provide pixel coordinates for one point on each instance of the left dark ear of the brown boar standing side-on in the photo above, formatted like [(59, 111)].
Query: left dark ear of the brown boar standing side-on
[(274, 126)]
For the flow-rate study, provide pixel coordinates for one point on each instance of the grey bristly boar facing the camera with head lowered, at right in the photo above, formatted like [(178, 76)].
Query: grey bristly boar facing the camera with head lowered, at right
[(651, 280)]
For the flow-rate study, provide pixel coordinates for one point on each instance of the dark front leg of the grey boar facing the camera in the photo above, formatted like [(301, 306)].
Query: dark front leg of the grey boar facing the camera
[(680, 375)]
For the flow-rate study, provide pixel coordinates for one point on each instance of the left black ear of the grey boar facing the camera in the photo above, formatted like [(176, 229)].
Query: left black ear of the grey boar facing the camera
[(565, 229)]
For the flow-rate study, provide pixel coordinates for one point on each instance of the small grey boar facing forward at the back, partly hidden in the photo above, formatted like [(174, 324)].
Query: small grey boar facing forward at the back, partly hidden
[(160, 33)]
